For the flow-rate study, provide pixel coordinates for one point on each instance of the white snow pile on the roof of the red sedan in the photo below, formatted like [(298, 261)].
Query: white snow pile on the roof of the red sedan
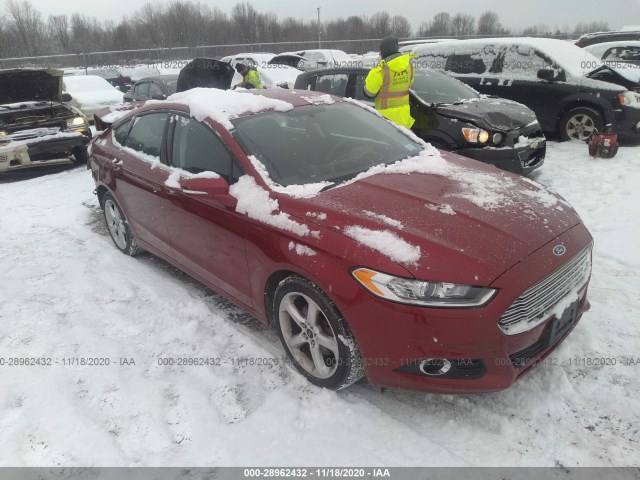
[(224, 105)]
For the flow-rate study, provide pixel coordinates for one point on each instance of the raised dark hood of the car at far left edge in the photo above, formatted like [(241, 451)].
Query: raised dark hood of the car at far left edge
[(30, 84)]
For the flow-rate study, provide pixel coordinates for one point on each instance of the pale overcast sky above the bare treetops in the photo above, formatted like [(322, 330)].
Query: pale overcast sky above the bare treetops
[(515, 14)]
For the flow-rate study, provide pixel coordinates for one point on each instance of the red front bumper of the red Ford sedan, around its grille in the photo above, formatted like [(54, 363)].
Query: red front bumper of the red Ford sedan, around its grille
[(394, 338)]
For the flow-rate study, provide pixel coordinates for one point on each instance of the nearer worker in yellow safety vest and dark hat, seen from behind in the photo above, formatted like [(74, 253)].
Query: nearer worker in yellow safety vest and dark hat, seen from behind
[(389, 83)]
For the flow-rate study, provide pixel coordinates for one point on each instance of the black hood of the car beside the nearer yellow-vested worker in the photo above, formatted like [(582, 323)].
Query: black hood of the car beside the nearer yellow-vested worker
[(490, 113)]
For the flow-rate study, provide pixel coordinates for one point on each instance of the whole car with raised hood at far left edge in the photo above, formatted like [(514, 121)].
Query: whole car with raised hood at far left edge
[(36, 128)]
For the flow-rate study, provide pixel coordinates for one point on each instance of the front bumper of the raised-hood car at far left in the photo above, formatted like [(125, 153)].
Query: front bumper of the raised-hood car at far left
[(40, 148)]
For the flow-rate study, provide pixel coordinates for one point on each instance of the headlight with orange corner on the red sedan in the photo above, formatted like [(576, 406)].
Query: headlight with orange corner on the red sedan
[(423, 293)]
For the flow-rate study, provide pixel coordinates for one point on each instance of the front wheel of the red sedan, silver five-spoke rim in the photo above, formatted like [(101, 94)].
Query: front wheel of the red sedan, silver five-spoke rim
[(315, 335)]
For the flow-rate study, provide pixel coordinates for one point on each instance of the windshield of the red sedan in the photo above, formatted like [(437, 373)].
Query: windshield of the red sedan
[(316, 143)]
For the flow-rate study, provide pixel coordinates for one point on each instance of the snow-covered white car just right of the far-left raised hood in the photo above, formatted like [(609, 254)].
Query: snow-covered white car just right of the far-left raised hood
[(90, 93)]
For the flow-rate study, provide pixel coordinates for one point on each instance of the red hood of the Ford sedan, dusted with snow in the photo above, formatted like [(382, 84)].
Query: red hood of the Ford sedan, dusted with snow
[(471, 224)]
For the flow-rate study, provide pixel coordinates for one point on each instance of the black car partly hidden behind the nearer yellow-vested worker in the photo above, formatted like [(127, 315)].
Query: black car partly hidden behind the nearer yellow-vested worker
[(452, 116)]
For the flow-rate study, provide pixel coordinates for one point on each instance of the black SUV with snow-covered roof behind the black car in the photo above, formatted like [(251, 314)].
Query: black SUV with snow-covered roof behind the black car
[(572, 93)]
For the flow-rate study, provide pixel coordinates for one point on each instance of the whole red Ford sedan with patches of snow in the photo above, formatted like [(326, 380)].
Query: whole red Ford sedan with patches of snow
[(369, 251)]
